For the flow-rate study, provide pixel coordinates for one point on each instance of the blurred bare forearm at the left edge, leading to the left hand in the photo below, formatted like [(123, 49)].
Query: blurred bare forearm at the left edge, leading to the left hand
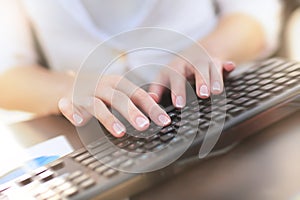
[(33, 89)]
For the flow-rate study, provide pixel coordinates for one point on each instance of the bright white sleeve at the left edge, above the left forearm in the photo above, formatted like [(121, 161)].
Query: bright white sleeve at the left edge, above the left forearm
[(16, 43)]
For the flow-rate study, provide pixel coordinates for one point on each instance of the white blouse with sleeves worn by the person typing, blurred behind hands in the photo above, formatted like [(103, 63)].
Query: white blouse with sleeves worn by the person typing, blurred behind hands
[(67, 30)]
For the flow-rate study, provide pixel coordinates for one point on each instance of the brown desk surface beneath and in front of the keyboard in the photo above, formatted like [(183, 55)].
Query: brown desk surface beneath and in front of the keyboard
[(264, 166)]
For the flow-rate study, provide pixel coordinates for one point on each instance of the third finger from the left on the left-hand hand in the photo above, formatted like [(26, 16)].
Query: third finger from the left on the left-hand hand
[(121, 102)]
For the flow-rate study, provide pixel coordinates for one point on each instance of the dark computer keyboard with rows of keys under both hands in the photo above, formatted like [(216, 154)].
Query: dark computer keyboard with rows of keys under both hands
[(253, 99)]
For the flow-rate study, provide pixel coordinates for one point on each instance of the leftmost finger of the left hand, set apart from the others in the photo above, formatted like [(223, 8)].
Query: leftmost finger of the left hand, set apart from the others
[(74, 114)]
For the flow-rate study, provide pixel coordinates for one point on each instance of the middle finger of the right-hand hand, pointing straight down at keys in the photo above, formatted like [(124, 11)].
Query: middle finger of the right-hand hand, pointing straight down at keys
[(202, 81)]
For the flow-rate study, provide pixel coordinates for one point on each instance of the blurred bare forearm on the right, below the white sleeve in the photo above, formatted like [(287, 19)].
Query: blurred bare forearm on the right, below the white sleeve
[(237, 37)]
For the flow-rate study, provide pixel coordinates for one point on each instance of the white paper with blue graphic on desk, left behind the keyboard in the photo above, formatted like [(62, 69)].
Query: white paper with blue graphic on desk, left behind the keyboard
[(36, 156)]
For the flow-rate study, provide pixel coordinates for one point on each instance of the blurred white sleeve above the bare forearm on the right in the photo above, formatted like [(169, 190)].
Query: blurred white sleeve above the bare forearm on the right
[(267, 12)]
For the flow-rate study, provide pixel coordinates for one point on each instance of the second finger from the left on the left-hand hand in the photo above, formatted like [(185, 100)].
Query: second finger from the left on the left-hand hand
[(107, 119)]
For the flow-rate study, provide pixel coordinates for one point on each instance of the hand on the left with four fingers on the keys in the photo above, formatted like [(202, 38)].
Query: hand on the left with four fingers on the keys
[(122, 95)]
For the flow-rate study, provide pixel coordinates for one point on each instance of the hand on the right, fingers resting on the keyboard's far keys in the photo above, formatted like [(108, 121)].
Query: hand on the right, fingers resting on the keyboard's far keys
[(208, 79)]
